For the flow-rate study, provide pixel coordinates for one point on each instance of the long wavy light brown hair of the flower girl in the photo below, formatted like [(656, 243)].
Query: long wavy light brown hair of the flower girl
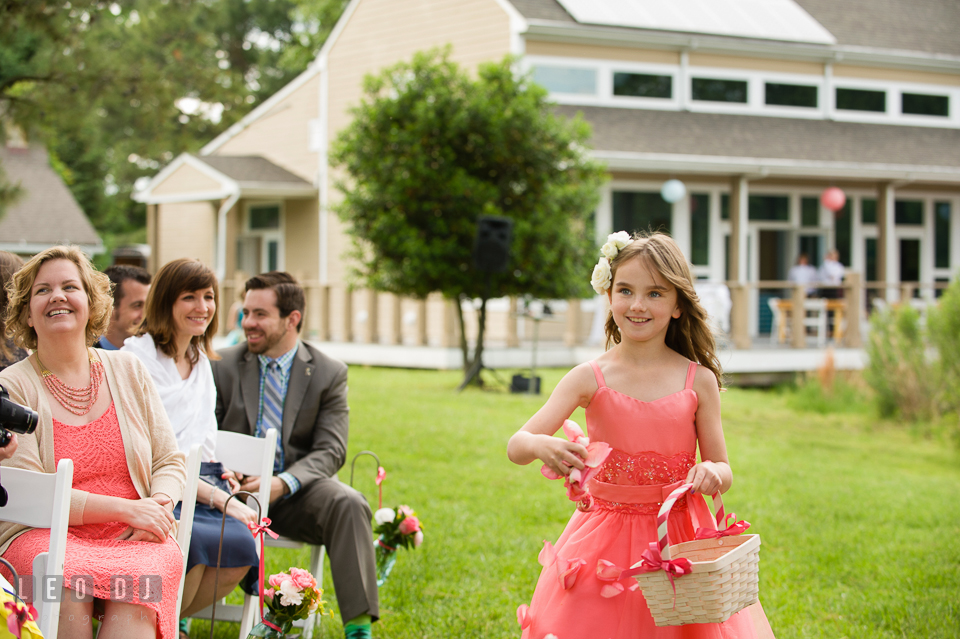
[(690, 334)]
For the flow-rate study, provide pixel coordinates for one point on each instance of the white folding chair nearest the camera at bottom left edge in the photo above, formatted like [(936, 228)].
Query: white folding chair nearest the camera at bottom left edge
[(42, 500)]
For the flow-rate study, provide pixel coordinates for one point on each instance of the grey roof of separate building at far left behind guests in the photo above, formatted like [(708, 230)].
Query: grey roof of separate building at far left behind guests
[(46, 213)]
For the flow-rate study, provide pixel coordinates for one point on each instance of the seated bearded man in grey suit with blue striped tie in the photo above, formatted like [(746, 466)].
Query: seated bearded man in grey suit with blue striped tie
[(275, 380)]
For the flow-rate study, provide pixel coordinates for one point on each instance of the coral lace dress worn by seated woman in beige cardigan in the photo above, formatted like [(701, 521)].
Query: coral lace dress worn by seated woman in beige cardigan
[(95, 559)]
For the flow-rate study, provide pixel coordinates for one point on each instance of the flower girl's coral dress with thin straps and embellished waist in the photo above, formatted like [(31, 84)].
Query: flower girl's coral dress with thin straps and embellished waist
[(654, 446)]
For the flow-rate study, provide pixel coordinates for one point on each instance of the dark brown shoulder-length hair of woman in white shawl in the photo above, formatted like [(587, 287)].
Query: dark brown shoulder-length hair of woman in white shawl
[(171, 280)]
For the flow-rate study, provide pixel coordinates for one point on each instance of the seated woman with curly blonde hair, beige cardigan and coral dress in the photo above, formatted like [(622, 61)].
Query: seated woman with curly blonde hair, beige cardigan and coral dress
[(101, 409)]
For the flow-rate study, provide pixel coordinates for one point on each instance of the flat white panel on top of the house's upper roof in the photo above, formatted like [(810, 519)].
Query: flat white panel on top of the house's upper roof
[(766, 19)]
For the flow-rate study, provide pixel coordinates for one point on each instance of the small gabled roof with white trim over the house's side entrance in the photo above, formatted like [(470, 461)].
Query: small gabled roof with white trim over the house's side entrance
[(215, 177)]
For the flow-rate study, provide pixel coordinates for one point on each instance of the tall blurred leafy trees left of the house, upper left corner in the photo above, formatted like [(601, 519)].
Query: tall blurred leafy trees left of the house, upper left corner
[(115, 90)]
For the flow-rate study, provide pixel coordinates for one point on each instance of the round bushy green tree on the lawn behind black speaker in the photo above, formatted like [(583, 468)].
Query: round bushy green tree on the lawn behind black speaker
[(429, 150)]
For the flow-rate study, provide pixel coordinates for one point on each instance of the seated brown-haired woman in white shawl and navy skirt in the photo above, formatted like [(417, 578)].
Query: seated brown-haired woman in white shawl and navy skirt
[(174, 343)]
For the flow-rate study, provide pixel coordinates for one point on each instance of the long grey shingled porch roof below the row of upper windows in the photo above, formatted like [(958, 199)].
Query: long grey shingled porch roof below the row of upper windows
[(664, 141)]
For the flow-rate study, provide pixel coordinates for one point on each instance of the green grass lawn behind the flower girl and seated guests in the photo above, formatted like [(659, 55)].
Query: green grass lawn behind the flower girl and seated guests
[(858, 517)]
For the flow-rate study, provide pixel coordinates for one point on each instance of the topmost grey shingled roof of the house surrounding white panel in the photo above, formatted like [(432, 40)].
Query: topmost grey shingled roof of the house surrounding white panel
[(919, 26)]
